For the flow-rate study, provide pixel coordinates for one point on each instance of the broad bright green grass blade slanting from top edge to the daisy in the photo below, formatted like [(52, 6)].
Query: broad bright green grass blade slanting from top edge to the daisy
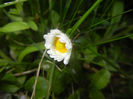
[(84, 17)]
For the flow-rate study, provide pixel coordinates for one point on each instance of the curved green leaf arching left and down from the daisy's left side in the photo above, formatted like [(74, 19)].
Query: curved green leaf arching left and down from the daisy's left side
[(30, 49)]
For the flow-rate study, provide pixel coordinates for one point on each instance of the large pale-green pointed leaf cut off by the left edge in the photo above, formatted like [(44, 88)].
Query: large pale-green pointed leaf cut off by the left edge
[(14, 26)]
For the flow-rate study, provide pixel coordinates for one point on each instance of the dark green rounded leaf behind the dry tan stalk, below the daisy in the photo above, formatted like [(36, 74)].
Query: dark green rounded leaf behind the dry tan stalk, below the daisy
[(41, 88)]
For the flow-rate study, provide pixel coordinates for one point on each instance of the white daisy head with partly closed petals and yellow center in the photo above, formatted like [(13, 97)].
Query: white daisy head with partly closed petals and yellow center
[(58, 45)]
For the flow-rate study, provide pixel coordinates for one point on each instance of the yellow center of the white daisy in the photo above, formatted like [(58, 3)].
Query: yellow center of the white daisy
[(60, 46)]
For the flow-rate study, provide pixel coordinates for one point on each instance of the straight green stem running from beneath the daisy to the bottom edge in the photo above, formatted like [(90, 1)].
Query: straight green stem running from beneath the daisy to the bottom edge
[(50, 80)]
